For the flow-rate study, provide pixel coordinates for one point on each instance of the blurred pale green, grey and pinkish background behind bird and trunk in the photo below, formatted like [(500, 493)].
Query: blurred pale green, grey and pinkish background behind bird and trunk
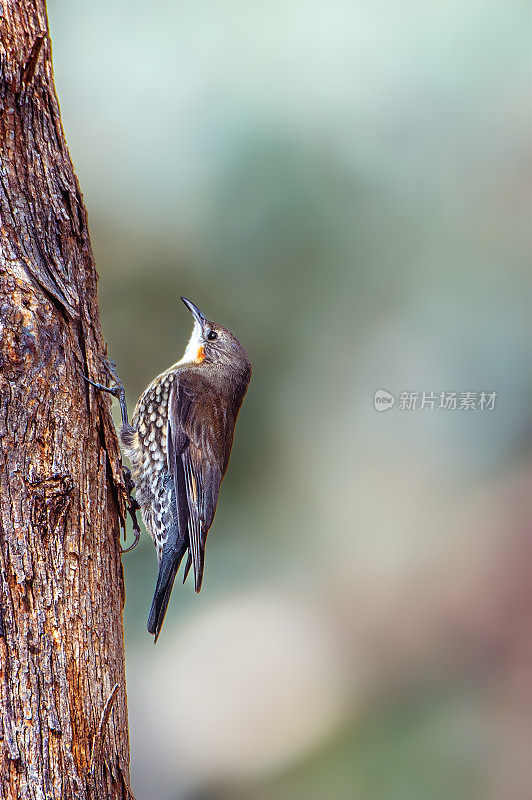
[(345, 185)]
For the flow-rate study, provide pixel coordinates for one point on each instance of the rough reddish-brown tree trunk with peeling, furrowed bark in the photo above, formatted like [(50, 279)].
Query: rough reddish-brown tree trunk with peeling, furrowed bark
[(64, 724)]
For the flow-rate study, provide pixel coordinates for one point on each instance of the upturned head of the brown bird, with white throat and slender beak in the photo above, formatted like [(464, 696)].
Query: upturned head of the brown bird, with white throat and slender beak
[(213, 345)]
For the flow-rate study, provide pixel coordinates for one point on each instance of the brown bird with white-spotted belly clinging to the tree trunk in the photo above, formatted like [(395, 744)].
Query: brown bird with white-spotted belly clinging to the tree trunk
[(178, 443)]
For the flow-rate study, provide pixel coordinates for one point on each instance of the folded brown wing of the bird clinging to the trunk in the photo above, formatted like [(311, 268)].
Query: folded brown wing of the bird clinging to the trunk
[(196, 452)]
